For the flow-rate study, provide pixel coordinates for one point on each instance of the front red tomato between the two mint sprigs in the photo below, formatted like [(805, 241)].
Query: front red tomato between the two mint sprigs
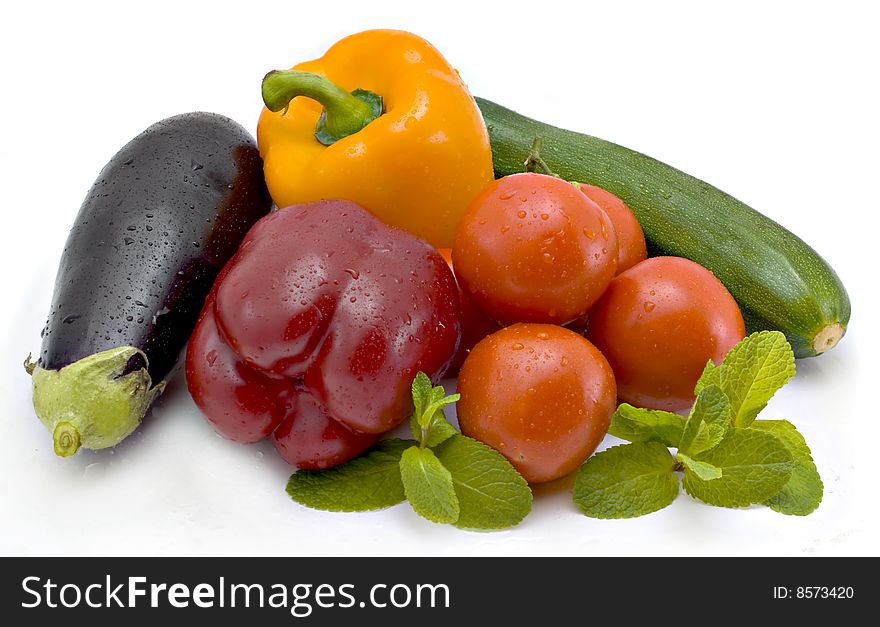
[(539, 394)]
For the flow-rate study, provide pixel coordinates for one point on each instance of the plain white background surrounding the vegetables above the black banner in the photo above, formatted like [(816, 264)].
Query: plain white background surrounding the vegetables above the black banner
[(775, 103)]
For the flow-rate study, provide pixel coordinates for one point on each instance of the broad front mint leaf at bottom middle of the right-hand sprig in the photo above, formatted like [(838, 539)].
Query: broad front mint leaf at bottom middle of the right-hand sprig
[(754, 467)]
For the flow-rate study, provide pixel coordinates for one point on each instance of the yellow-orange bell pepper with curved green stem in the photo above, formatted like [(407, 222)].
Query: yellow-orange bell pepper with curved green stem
[(385, 122)]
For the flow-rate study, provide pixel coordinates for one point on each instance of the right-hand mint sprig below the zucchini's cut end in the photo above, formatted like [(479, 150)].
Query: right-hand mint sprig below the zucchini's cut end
[(726, 457)]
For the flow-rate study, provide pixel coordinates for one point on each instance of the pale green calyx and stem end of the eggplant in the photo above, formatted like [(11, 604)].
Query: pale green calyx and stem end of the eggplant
[(93, 402)]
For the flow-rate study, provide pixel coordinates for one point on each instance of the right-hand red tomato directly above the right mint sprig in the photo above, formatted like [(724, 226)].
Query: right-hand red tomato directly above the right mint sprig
[(658, 324)]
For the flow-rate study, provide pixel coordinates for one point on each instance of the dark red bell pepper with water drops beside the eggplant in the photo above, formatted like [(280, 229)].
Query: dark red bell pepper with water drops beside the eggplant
[(315, 330)]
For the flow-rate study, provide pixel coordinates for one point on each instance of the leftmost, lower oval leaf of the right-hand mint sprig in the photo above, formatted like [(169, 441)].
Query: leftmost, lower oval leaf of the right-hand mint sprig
[(626, 481)]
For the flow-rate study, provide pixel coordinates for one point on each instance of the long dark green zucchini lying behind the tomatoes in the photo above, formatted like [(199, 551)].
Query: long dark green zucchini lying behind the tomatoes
[(779, 282)]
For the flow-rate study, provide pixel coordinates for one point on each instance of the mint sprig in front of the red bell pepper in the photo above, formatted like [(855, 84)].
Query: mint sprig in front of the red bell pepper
[(446, 477)]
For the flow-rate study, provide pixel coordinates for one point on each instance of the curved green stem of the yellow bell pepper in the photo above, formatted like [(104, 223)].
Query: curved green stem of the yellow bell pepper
[(344, 113)]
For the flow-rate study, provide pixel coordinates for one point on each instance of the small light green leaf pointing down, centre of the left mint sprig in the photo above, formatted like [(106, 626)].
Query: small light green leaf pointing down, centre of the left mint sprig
[(428, 485)]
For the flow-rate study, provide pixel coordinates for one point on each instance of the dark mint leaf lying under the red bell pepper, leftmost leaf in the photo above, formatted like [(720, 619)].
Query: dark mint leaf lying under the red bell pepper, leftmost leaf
[(371, 481)]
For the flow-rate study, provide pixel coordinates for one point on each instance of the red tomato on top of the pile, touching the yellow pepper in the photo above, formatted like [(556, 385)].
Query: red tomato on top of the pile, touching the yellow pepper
[(532, 248)]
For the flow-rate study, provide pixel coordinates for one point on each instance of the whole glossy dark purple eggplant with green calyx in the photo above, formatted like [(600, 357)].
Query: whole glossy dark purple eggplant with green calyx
[(158, 224)]
